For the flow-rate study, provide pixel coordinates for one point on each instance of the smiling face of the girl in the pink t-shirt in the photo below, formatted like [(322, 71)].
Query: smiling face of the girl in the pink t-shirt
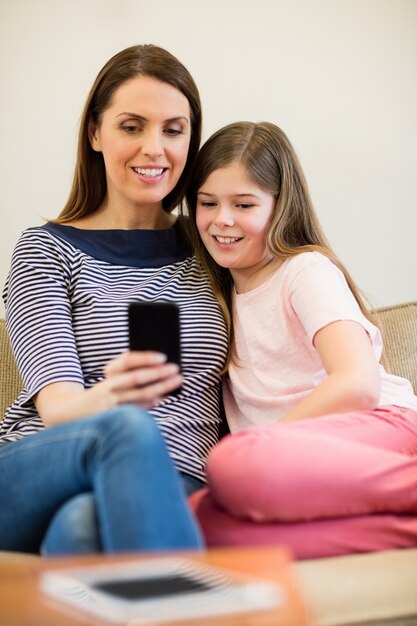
[(233, 215)]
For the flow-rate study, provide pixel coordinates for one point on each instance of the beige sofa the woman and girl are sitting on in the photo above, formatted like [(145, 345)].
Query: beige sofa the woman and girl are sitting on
[(361, 589)]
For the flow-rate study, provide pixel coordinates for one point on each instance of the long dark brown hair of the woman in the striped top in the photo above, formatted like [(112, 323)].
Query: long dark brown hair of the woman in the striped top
[(89, 185)]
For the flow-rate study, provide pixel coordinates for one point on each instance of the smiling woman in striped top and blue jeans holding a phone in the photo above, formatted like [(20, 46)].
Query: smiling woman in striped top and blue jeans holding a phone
[(116, 241)]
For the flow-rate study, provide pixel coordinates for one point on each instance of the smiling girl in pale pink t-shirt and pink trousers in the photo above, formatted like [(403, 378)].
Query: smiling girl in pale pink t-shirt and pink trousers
[(324, 450)]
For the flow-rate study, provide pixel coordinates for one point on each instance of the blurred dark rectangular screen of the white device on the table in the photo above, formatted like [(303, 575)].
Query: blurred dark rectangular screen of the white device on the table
[(145, 588)]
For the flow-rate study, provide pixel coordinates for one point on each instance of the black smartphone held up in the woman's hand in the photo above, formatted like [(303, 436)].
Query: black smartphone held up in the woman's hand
[(155, 326)]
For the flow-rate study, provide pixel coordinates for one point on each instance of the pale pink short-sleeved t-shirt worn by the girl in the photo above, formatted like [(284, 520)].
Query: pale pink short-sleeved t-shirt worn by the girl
[(275, 325)]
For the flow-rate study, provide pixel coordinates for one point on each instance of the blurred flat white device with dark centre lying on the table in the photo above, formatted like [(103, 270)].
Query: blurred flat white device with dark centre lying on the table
[(160, 590)]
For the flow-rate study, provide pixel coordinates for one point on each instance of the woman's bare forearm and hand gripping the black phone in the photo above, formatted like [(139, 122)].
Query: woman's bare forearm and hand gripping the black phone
[(142, 378)]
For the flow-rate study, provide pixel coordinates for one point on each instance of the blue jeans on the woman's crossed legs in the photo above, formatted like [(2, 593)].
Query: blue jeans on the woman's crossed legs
[(119, 459)]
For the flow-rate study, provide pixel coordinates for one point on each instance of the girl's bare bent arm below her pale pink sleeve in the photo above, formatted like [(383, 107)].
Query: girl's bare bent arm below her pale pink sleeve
[(352, 381)]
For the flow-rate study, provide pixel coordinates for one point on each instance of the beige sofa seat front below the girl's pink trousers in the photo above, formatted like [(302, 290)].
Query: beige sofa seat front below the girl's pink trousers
[(380, 588)]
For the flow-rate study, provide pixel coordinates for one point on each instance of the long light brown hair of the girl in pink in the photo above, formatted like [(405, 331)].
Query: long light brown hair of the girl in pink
[(270, 160)]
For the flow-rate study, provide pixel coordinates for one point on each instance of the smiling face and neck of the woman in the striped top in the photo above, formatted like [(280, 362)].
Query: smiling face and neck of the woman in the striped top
[(144, 136)]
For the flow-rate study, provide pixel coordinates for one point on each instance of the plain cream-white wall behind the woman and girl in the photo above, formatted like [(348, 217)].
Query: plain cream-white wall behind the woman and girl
[(339, 76)]
